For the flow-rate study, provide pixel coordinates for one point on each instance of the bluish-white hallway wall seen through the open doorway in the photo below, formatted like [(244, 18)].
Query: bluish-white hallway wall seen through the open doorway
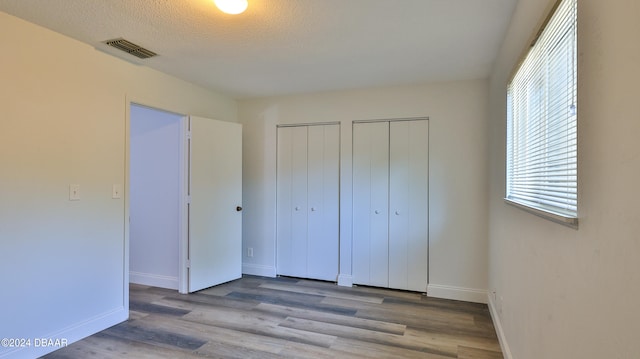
[(154, 201)]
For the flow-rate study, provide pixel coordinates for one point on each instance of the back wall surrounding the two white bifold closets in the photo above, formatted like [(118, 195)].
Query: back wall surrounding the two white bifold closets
[(458, 173)]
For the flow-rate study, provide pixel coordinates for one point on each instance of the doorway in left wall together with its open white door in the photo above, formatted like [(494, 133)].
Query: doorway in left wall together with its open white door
[(184, 200)]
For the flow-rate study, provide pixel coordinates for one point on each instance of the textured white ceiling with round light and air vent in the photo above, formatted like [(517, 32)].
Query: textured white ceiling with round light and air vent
[(282, 47)]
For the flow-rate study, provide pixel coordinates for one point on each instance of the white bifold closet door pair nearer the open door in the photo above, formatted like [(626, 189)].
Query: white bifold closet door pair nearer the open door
[(308, 201)]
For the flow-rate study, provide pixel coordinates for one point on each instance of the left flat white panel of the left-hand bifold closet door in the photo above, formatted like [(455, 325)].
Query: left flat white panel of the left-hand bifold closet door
[(292, 201)]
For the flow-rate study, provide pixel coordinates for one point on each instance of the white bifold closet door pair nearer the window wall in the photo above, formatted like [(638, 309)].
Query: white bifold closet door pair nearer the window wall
[(390, 204)]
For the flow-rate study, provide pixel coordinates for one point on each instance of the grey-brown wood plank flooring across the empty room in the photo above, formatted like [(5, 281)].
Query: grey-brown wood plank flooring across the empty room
[(256, 317)]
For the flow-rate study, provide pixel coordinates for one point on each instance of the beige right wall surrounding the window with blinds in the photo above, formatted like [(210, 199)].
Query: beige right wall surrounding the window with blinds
[(574, 293)]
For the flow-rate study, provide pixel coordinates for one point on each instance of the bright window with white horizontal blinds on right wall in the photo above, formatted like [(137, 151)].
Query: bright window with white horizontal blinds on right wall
[(542, 122)]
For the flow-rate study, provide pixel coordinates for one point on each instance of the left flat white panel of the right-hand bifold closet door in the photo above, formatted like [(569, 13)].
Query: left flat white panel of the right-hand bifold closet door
[(370, 203)]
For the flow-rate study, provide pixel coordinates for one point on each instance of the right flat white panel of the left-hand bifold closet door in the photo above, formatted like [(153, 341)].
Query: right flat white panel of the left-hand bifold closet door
[(323, 205)]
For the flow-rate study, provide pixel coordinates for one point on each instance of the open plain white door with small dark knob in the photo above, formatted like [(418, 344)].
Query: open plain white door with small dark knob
[(215, 220)]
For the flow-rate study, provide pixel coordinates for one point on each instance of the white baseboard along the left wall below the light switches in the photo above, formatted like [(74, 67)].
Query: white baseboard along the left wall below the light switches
[(67, 335)]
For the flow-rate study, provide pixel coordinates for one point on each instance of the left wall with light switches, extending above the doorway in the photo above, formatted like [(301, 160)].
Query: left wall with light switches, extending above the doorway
[(63, 108)]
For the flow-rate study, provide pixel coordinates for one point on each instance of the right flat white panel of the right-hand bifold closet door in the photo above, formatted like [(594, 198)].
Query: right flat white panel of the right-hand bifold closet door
[(408, 205)]
